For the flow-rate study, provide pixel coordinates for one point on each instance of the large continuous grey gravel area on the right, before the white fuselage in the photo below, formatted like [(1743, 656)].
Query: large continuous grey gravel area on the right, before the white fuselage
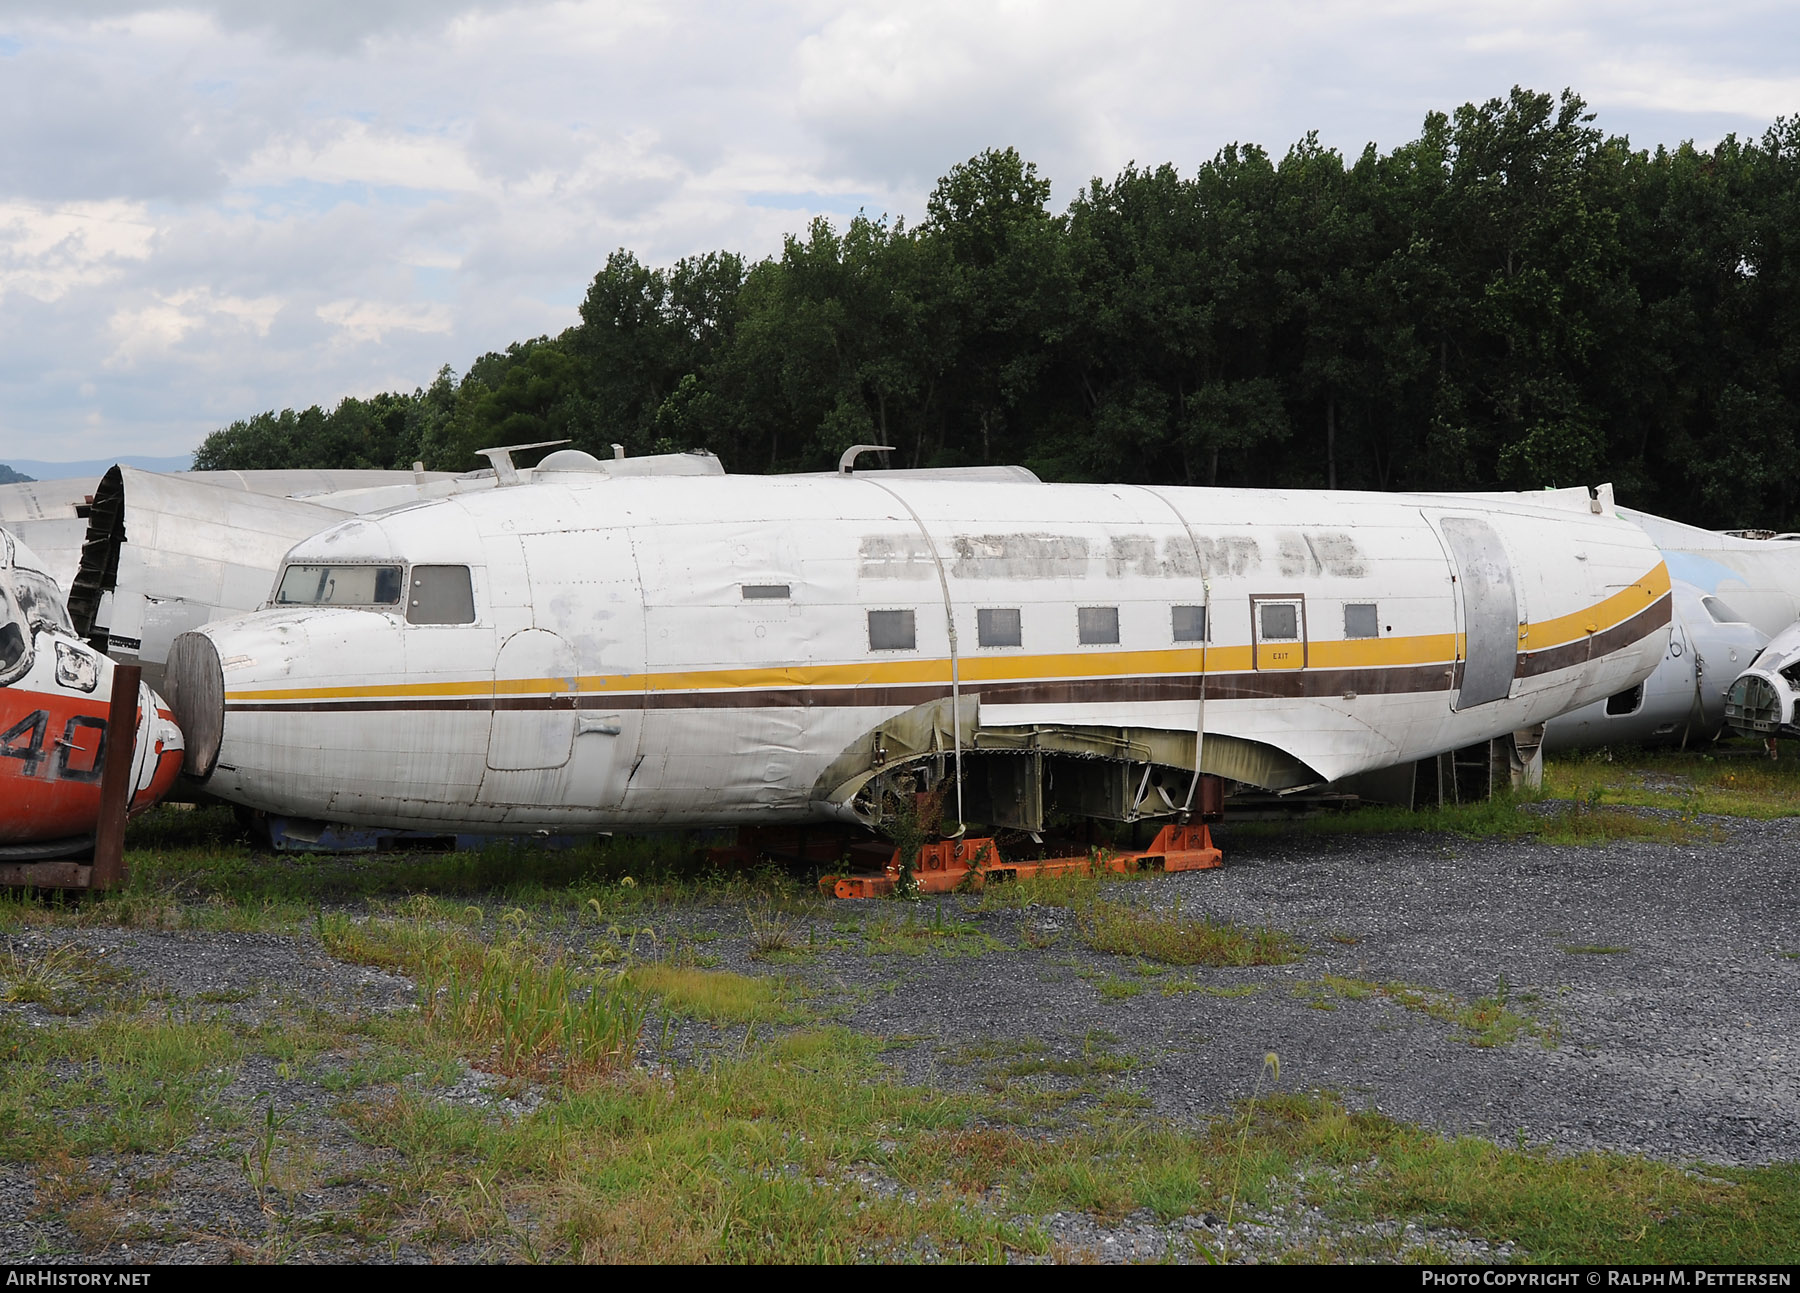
[(1680, 1044)]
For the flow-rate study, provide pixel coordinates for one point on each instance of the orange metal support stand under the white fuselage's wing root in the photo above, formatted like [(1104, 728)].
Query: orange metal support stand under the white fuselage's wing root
[(971, 864)]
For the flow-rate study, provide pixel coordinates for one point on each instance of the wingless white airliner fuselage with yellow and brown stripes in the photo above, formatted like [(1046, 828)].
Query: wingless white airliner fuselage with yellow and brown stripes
[(595, 655)]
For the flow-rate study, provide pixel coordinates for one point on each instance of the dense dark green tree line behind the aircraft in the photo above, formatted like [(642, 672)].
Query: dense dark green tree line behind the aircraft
[(1513, 300)]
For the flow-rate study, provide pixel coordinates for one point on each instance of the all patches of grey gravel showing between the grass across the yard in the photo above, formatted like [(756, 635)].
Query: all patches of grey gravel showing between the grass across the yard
[(1677, 1044)]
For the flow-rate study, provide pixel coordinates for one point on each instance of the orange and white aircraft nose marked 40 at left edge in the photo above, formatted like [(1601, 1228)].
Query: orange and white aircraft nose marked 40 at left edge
[(55, 701)]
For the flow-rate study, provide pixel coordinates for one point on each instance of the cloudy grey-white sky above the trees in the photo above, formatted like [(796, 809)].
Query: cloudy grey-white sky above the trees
[(228, 206)]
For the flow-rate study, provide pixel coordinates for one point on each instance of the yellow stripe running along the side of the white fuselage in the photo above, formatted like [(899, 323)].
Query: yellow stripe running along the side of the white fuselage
[(1369, 653)]
